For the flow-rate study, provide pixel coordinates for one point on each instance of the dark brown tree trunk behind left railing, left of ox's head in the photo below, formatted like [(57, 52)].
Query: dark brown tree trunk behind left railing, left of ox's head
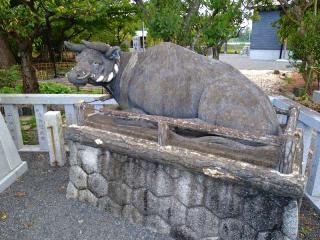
[(30, 82)]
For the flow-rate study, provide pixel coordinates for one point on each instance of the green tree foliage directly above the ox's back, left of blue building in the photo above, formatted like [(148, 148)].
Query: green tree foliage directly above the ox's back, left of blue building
[(199, 23)]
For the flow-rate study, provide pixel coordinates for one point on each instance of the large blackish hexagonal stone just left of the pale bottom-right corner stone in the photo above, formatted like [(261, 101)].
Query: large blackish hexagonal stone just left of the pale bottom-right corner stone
[(262, 213)]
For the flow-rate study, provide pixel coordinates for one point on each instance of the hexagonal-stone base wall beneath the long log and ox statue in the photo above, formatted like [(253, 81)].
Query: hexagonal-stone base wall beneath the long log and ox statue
[(183, 204)]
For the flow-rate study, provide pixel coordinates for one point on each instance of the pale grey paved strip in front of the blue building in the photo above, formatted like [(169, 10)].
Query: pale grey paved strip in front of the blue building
[(245, 63)]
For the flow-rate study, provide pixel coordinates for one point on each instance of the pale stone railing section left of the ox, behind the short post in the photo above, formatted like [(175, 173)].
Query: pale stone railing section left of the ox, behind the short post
[(11, 103)]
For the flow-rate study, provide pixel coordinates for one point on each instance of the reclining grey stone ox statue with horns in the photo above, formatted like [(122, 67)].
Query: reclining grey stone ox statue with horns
[(172, 81)]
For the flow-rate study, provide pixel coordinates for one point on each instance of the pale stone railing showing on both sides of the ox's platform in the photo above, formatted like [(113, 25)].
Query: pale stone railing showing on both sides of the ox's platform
[(309, 122)]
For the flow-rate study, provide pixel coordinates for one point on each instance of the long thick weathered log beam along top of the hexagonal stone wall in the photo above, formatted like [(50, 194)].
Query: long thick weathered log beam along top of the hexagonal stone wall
[(291, 185)]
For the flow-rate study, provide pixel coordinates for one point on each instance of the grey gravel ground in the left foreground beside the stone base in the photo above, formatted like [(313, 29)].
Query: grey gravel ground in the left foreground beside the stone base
[(35, 208)]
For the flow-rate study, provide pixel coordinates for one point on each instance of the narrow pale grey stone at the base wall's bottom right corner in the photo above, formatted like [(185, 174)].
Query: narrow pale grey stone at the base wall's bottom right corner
[(290, 220)]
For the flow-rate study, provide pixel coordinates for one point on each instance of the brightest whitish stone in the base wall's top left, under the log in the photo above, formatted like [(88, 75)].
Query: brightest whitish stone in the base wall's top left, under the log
[(90, 159)]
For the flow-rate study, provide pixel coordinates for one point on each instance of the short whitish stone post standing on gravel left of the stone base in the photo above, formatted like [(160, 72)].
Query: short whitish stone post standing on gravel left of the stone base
[(53, 123)]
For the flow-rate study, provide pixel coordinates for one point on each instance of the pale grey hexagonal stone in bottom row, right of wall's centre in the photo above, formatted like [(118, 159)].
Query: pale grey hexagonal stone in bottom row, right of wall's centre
[(202, 222)]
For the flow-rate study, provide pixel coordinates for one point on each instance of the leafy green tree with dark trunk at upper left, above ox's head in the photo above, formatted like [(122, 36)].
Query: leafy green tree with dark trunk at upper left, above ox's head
[(31, 24)]
